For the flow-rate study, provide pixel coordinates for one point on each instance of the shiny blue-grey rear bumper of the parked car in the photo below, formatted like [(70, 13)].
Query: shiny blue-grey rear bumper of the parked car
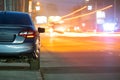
[(16, 49)]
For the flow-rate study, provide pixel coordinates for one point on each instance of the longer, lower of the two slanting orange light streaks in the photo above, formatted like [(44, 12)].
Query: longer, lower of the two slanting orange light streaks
[(89, 13)]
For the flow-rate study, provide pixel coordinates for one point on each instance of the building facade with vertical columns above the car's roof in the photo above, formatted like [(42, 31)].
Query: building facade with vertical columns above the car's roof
[(14, 5)]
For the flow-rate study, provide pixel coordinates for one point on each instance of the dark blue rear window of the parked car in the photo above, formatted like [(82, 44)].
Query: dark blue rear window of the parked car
[(15, 18)]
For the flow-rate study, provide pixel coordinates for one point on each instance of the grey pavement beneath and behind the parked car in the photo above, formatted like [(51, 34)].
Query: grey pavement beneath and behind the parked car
[(16, 73)]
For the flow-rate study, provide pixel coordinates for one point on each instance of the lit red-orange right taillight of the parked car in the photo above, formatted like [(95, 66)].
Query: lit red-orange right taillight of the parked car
[(27, 34)]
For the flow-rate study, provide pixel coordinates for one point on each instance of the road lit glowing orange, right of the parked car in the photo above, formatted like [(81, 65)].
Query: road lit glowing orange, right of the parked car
[(83, 57)]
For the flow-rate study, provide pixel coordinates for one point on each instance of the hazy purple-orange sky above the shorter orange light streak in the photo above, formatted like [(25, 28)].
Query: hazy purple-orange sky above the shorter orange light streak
[(59, 7)]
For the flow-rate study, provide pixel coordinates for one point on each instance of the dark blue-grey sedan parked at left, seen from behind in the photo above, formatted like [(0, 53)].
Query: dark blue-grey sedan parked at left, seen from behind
[(19, 38)]
